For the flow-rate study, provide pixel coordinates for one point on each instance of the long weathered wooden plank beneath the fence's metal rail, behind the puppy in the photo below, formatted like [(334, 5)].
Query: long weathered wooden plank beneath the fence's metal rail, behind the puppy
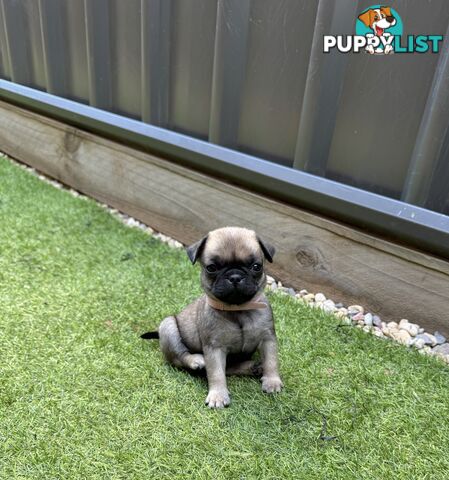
[(312, 252)]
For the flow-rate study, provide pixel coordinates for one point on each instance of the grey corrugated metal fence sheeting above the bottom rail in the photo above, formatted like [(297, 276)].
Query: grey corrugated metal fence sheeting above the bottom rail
[(251, 75)]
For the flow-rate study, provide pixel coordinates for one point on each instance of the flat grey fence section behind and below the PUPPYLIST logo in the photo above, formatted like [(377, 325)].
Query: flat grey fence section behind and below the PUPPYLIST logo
[(381, 106)]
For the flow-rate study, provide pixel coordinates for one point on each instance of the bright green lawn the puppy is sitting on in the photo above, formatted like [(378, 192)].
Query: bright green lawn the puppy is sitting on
[(82, 397)]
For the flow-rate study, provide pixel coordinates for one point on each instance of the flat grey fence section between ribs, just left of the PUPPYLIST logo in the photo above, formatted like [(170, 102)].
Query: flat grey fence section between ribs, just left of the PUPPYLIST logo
[(275, 75)]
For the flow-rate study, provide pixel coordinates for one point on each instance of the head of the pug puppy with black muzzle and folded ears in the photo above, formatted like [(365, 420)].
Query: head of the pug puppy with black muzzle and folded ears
[(232, 263)]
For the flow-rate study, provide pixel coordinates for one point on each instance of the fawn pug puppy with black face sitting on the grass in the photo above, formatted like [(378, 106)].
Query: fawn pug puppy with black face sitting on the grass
[(222, 329)]
